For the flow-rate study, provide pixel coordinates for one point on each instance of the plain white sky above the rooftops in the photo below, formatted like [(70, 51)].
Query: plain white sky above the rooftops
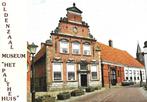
[(123, 21)]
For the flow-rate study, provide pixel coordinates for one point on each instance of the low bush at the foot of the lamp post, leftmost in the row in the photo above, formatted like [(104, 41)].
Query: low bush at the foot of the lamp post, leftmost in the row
[(46, 98)]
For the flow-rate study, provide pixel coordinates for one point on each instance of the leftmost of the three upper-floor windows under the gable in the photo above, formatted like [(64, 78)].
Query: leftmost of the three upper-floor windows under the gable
[(64, 46)]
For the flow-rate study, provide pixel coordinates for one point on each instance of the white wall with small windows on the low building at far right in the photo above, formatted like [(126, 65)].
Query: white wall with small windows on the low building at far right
[(128, 70)]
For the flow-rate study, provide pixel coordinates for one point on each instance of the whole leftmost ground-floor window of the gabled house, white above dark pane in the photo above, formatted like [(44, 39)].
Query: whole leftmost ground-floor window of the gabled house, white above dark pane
[(57, 71)]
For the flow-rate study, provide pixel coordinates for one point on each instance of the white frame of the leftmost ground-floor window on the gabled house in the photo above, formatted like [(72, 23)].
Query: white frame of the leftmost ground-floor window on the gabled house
[(57, 70)]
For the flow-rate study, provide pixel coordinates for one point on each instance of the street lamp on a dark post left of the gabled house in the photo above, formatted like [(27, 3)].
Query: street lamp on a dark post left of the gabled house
[(32, 47)]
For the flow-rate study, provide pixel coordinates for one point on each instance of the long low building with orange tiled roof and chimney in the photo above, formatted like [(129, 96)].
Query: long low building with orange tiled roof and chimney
[(116, 63)]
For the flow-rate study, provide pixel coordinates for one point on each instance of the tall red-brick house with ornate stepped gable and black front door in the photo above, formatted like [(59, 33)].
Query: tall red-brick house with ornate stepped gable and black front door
[(71, 58)]
